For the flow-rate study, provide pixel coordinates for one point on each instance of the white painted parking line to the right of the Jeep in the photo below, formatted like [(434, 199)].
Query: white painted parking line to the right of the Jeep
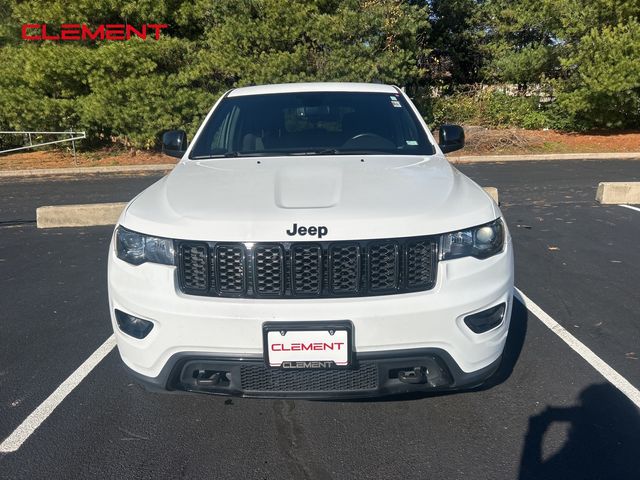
[(581, 349)]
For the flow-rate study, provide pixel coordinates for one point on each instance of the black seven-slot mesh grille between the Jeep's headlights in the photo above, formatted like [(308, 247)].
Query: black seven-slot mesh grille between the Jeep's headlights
[(307, 270)]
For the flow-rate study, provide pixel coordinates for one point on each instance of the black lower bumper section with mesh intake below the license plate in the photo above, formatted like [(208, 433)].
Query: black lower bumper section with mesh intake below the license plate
[(374, 374)]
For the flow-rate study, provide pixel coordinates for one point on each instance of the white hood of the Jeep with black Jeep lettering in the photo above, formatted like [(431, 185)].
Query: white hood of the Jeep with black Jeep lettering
[(352, 197)]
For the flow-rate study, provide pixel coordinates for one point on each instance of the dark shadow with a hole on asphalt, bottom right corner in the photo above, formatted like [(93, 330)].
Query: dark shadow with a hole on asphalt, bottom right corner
[(603, 439)]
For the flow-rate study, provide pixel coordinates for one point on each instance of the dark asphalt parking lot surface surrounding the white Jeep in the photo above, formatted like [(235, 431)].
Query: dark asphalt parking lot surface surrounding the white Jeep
[(548, 414)]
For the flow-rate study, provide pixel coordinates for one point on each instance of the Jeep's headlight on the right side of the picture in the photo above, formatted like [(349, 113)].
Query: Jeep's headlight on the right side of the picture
[(480, 242)]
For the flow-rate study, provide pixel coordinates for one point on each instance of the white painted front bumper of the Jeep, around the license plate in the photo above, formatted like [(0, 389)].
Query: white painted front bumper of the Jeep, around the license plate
[(224, 329)]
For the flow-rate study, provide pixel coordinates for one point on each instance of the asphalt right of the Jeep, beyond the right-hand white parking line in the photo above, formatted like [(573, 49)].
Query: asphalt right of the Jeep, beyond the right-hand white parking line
[(576, 258)]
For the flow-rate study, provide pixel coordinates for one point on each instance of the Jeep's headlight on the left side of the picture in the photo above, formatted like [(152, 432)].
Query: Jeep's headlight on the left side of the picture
[(135, 248)]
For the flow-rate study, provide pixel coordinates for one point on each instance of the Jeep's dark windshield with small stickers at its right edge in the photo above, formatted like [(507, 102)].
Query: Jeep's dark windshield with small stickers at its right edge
[(313, 123)]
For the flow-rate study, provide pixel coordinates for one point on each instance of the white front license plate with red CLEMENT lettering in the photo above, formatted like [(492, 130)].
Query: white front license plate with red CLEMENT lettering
[(287, 347)]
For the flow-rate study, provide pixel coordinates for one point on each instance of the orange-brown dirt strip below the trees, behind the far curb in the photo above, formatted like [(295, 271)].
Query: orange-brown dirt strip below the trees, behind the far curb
[(480, 141)]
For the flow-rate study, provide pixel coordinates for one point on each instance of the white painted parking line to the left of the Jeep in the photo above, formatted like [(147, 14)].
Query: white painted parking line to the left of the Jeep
[(40, 414)]
